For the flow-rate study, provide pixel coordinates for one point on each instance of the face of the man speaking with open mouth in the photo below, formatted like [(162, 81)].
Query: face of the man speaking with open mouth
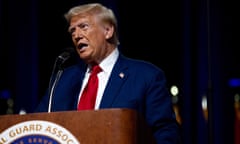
[(89, 36)]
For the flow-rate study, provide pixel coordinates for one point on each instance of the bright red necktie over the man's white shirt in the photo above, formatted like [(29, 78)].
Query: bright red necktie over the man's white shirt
[(88, 98)]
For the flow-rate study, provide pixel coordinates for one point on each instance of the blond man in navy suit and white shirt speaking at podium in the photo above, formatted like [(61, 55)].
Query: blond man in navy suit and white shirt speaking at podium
[(123, 82)]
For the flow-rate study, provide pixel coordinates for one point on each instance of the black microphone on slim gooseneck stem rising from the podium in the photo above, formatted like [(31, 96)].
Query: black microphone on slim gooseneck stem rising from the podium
[(58, 66)]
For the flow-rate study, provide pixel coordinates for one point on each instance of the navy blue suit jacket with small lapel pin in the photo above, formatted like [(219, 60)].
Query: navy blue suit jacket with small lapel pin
[(133, 84)]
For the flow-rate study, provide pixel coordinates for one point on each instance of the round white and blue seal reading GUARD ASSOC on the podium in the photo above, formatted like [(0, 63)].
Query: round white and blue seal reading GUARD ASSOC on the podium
[(37, 132)]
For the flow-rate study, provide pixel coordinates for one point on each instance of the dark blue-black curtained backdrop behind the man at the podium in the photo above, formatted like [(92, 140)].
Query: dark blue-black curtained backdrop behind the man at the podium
[(194, 41)]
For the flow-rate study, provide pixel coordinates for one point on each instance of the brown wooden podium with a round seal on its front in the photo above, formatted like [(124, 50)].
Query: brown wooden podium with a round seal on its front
[(105, 126)]
